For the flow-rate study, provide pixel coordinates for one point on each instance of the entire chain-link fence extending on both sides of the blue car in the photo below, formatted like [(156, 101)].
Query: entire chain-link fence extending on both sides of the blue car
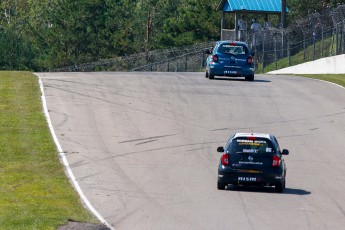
[(320, 34)]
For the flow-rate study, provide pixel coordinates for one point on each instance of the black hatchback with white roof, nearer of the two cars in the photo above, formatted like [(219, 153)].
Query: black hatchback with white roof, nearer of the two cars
[(252, 159)]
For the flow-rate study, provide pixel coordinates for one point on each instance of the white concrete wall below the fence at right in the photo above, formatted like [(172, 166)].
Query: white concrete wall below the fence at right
[(329, 65)]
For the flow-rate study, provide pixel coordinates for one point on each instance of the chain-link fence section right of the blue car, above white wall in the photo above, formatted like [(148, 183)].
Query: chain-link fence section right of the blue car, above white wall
[(319, 35)]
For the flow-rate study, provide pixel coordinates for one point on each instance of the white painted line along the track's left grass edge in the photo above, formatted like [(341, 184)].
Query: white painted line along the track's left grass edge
[(65, 162)]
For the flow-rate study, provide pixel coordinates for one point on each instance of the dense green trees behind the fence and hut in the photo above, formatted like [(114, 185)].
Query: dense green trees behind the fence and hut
[(46, 34)]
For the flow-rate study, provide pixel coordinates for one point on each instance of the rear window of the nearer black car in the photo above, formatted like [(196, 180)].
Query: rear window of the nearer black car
[(256, 146)]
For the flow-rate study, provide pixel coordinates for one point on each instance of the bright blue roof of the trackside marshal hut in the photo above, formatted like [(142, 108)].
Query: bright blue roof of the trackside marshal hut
[(251, 6)]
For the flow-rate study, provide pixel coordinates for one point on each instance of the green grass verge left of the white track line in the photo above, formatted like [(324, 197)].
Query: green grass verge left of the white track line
[(34, 190)]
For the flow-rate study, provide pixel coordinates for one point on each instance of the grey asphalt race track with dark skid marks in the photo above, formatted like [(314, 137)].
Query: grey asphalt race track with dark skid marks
[(143, 147)]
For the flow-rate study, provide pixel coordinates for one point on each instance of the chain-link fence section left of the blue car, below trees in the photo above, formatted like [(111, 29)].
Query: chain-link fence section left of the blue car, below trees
[(175, 59)]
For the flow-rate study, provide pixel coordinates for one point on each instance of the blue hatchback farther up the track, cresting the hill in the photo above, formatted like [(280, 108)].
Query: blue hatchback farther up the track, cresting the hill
[(231, 59)]
